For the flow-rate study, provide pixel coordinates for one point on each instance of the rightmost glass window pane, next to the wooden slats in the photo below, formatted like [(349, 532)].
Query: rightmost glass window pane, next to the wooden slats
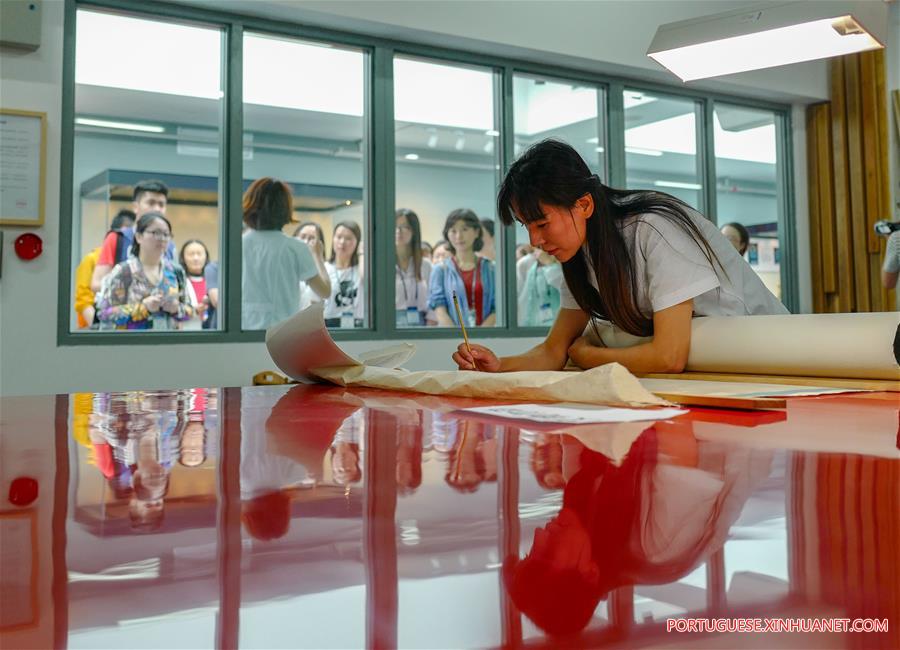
[(747, 188)]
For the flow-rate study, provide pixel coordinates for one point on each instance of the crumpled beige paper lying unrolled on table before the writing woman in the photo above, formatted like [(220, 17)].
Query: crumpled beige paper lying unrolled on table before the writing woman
[(611, 384)]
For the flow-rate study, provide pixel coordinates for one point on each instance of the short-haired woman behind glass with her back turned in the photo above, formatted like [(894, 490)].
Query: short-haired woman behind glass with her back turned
[(273, 263)]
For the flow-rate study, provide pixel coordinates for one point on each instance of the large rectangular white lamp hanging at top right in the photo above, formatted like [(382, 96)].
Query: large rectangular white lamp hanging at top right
[(741, 40)]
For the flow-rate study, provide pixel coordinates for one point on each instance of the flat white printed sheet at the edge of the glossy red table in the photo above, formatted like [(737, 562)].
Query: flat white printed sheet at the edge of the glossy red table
[(575, 413)]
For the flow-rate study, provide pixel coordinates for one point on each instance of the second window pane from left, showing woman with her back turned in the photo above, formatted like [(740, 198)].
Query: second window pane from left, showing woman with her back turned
[(304, 145)]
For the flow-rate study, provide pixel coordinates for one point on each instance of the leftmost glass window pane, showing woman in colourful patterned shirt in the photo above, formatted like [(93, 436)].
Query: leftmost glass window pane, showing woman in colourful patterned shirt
[(147, 140)]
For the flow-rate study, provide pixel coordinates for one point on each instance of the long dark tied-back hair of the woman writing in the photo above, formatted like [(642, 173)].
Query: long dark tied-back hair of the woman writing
[(551, 172)]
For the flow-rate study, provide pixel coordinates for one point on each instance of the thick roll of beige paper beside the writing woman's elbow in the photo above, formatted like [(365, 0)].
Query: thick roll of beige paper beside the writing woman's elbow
[(858, 346)]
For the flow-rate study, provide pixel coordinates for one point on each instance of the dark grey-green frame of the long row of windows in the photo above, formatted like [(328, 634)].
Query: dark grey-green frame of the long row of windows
[(379, 169)]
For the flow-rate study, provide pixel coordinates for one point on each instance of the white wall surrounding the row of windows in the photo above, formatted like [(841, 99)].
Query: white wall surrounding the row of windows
[(569, 33)]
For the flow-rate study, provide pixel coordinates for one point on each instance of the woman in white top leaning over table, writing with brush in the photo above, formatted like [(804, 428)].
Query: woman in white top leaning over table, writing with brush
[(642, 260)]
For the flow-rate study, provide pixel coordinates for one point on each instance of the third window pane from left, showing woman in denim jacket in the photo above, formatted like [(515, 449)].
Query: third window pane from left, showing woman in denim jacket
[(447, 173)]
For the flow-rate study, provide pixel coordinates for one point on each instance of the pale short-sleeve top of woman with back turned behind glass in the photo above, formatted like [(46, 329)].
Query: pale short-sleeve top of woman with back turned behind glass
[(274, 265)]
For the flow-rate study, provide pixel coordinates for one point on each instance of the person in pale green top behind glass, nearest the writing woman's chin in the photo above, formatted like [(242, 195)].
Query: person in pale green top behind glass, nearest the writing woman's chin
[(539, 277)]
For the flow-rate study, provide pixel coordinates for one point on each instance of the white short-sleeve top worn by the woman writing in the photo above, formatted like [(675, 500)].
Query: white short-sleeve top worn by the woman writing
[(670, 267)]
